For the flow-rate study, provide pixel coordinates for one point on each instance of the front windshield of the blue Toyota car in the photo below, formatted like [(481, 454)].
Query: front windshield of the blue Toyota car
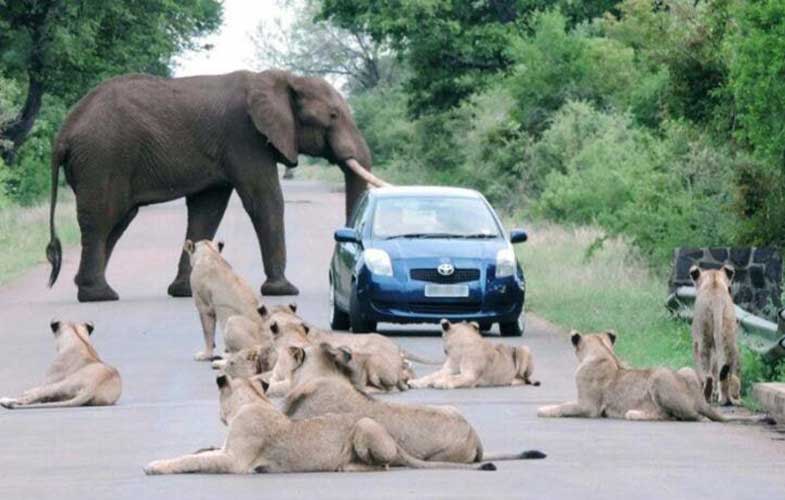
[(433, 217)]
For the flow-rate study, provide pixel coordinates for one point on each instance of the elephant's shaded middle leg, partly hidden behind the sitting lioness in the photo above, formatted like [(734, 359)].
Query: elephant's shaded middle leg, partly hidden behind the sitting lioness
[(205, 211)]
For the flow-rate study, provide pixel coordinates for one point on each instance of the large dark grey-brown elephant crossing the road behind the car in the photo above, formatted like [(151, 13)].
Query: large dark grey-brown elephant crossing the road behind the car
[(137, 139)]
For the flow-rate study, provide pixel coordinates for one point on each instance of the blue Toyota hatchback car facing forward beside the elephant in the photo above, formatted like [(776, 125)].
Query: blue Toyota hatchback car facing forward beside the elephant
[(419, 254)]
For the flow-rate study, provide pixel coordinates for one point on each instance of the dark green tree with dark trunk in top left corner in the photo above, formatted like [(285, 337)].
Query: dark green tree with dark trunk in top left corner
[(63, 48)]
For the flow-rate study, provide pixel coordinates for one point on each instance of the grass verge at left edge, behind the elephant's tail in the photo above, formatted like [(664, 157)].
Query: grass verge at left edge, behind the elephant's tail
[(24, 234)]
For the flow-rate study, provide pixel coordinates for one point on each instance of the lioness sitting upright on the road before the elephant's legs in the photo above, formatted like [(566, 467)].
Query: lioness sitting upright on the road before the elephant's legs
[(218, 292)]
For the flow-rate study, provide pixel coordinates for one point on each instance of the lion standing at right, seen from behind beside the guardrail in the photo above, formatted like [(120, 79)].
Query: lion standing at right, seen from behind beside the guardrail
[(714, 343)]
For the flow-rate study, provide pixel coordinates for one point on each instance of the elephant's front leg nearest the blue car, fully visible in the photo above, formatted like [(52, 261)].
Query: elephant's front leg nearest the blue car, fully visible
[(265, 206)]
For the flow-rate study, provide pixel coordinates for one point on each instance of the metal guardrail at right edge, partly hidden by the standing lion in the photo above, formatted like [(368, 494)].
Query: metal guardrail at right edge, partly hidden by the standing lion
[(762, 335)]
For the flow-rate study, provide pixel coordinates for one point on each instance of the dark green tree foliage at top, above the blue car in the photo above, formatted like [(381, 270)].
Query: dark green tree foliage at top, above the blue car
[(453, 47)]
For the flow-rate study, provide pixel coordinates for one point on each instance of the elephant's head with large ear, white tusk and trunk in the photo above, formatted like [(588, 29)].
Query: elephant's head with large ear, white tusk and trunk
[(307, 115)]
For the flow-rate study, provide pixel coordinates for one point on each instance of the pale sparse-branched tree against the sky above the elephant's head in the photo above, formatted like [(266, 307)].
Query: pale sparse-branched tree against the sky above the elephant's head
[(309, 46)]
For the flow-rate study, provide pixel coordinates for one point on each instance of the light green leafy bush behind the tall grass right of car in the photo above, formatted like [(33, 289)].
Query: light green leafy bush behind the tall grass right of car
[(661, 192)]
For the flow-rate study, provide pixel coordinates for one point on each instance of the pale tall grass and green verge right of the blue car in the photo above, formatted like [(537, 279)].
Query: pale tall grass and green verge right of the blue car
[(611, 289)]
